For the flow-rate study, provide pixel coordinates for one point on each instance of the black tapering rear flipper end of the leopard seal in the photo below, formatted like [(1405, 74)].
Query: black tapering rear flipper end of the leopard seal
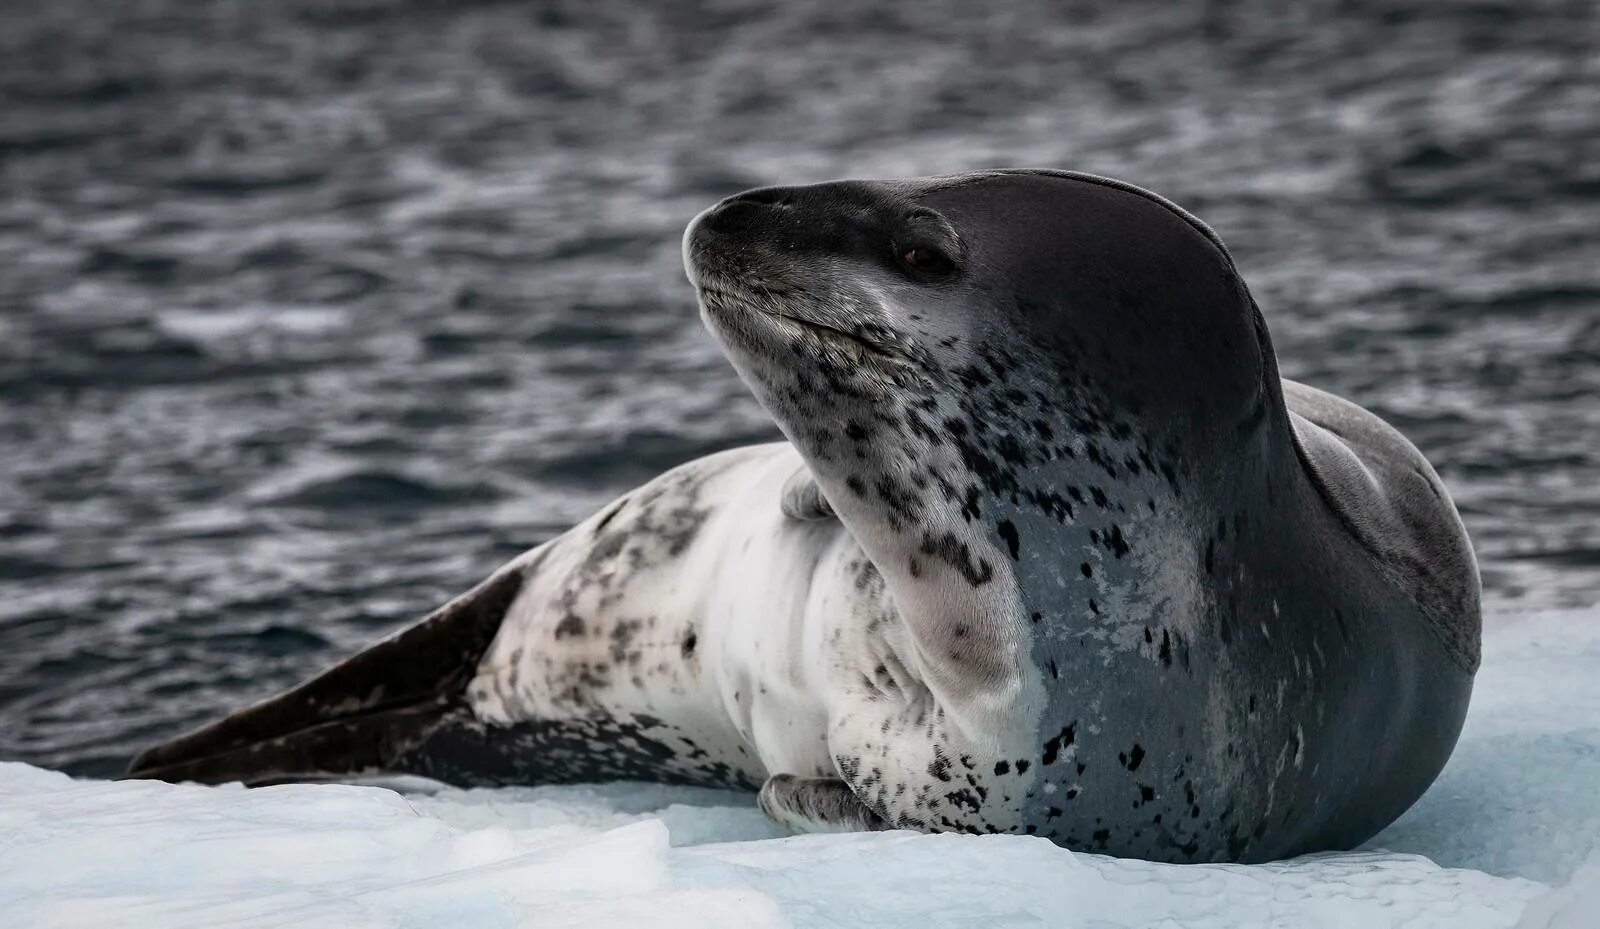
[(372, 714)]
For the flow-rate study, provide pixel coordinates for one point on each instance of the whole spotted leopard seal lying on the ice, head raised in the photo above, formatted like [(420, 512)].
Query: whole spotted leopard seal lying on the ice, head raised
[(1050, 549)]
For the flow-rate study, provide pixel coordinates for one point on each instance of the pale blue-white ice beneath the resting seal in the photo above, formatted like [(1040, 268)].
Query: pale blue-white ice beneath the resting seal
[(1506, 839)]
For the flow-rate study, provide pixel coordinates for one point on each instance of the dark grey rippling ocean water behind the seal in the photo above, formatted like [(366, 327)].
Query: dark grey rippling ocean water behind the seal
[(314, 313)]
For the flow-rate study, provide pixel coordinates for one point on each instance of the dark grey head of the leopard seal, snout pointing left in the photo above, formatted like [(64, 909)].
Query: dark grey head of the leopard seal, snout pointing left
[(855, 290)]
